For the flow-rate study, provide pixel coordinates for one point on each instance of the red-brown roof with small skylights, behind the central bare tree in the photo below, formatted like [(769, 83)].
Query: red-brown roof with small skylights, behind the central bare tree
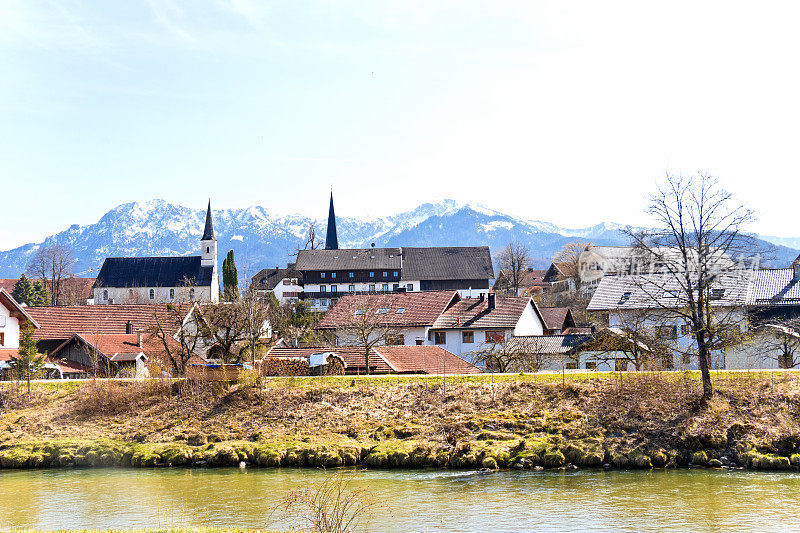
[(402, 309)]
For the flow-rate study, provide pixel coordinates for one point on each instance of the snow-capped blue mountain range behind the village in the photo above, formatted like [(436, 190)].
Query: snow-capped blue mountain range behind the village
[(260, 239)]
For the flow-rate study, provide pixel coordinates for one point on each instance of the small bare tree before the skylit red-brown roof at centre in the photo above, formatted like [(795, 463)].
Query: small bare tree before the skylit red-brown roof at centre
[(368, 325)]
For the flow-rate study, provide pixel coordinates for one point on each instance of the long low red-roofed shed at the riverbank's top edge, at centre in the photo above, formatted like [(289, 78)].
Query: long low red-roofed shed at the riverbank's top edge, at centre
[(388, 359)]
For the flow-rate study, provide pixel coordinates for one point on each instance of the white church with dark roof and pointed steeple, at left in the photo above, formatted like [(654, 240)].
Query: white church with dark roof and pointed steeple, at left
[(151, 280)]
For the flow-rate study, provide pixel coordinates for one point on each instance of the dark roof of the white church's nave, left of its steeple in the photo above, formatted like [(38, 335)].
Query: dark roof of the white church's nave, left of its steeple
[(153, 272)]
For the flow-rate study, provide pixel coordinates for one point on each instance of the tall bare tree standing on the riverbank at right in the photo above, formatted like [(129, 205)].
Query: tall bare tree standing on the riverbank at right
[(700, 231)]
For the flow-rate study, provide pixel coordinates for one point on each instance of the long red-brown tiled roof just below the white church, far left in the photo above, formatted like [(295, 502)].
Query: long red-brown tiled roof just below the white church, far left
[(62, 322)]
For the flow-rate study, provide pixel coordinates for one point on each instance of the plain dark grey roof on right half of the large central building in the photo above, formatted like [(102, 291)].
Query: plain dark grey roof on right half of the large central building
[(450, 262)]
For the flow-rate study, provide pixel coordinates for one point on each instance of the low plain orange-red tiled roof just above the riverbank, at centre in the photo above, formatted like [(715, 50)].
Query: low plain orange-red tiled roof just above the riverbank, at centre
[(425, 360)]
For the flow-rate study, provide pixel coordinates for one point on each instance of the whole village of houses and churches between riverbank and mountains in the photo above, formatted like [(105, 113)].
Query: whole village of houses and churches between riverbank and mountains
[(403, 310)]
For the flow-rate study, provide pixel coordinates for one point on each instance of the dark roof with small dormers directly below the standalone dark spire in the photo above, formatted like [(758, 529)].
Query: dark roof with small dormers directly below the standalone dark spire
[(349, 259)]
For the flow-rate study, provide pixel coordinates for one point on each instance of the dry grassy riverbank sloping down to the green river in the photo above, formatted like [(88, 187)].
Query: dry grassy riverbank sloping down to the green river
[(621, 420)]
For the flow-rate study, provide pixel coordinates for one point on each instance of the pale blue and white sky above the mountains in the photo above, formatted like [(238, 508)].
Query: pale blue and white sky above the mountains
[(568, 112)]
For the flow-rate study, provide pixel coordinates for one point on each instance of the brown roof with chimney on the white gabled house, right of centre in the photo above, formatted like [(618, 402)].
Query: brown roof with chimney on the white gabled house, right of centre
[(475, 313)]
